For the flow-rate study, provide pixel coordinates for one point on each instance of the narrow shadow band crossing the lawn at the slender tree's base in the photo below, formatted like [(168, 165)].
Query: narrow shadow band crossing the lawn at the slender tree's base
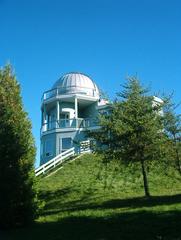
[(131, 203)]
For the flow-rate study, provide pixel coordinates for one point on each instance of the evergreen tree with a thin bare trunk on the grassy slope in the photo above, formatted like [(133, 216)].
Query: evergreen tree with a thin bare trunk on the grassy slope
[(133, 132)]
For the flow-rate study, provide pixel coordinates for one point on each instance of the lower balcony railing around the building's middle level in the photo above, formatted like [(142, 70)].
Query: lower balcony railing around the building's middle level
[(74, 123)]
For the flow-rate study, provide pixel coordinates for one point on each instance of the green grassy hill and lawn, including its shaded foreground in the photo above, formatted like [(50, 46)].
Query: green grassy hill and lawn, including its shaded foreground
[(86, 200)]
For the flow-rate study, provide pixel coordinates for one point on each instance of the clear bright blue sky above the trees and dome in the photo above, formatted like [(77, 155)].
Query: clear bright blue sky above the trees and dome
[(106, 39)]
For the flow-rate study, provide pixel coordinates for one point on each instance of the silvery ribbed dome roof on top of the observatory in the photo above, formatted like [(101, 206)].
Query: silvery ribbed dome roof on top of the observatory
[(76, 83)]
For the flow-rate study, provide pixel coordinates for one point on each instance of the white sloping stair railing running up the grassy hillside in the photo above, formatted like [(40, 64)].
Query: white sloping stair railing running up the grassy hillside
[(55, 161)]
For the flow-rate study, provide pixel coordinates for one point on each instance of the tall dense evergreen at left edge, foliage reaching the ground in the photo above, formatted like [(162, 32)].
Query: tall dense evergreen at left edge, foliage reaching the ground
[(18, 188)]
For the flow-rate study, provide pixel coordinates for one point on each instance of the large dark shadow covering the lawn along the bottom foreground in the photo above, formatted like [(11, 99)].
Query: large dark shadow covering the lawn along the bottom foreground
[(126, 226)]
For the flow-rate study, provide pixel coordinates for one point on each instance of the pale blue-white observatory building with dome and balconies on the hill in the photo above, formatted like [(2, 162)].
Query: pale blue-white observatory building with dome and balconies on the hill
[(69, 109)]
